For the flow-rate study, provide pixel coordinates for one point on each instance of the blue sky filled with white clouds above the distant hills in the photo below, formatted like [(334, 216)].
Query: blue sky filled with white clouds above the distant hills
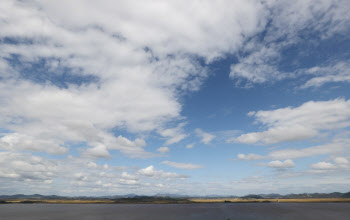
[(174, 97)]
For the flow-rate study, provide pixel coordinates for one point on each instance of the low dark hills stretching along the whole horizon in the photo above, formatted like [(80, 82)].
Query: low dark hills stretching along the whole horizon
[(250, 196)]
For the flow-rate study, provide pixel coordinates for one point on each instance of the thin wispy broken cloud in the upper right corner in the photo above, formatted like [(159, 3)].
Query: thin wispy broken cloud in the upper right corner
[(288, 22)]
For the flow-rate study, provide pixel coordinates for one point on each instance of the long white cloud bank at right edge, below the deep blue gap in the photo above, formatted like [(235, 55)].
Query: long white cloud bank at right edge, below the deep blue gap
[(309, 120)]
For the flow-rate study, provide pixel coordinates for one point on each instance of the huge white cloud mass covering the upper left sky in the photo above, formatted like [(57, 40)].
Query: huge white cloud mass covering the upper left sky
[(141, 64)]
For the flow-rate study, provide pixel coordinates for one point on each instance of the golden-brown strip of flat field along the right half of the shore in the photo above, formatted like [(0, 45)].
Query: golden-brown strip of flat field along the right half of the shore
[(238, 200)]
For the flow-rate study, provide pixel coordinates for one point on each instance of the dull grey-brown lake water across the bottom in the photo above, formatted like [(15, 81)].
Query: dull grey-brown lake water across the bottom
[(175, 211)]
